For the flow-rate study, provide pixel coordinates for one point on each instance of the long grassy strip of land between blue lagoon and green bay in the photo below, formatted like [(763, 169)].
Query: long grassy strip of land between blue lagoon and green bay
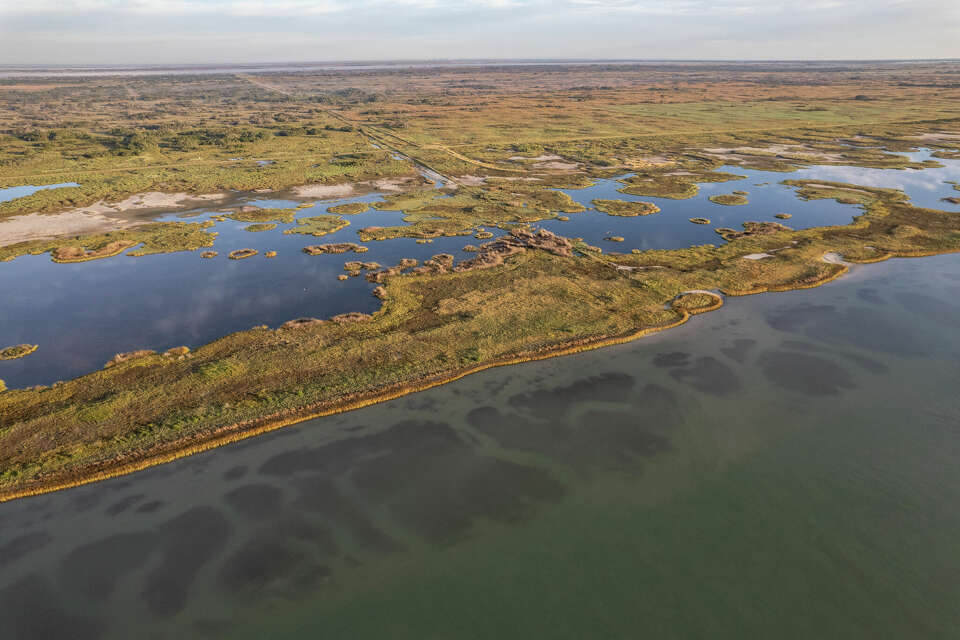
[(433, 326)]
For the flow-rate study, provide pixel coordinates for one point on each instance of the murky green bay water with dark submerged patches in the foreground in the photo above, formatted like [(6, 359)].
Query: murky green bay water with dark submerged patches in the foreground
[(784, 467)]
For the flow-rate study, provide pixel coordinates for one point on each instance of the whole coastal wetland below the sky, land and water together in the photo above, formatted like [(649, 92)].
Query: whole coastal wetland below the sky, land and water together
[(372, 271)]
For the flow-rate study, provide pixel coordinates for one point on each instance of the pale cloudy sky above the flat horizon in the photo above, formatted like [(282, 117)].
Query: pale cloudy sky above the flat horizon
[(224, 31)]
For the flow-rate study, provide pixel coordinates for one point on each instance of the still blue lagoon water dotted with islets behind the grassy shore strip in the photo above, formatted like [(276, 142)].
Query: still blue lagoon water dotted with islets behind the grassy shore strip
[(80, 315)]
